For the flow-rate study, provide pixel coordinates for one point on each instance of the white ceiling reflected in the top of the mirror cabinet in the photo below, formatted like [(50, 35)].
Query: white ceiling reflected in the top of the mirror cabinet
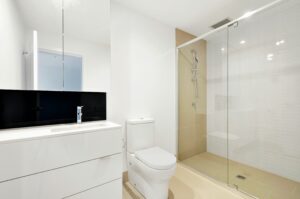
[(84, 19)]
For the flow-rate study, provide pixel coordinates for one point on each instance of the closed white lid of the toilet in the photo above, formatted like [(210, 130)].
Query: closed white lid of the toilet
[(156, 158)]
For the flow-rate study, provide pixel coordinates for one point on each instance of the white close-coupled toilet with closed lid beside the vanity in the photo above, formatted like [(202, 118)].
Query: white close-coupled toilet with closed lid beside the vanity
[(149, 167)]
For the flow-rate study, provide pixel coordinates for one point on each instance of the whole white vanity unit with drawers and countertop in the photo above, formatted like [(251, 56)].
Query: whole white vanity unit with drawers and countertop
[(62, 161)]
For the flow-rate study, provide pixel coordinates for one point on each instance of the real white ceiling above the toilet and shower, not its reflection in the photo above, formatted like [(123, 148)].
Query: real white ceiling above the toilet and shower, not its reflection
[(193, 16)]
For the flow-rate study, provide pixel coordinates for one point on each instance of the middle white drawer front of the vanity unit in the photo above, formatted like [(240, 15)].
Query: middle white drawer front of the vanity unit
[(63, 182)]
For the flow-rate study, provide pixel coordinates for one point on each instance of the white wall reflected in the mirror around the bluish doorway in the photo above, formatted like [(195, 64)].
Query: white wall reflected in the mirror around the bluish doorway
[(95, 57)]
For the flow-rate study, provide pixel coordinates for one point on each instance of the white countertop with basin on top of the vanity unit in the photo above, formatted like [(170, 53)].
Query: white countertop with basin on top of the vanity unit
[(41, 132)]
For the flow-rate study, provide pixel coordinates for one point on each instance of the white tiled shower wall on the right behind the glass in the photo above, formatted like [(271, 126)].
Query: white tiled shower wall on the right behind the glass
[(264, 95)]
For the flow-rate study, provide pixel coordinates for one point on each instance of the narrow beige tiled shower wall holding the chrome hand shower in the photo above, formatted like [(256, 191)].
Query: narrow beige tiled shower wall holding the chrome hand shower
[(192, 109)]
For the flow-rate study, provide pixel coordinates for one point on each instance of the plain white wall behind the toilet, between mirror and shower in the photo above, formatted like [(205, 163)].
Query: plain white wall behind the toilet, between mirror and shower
[(143, 73)]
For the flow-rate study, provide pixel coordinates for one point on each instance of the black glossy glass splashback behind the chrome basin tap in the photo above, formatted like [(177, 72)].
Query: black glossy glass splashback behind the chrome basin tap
[(23, 108)]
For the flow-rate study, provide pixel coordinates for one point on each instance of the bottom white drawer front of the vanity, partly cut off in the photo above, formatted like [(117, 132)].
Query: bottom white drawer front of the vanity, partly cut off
[(112, 190)]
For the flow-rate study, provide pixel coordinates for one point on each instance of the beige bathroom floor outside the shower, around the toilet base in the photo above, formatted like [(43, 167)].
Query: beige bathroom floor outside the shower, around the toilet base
[(188, 184)]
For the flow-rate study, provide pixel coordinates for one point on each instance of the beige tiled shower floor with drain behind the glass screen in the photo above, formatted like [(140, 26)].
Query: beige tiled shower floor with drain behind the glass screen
[(259, 183)]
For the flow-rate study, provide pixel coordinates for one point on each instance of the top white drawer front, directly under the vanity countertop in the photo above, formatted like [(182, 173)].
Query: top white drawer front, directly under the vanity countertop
[(33, 156)]
